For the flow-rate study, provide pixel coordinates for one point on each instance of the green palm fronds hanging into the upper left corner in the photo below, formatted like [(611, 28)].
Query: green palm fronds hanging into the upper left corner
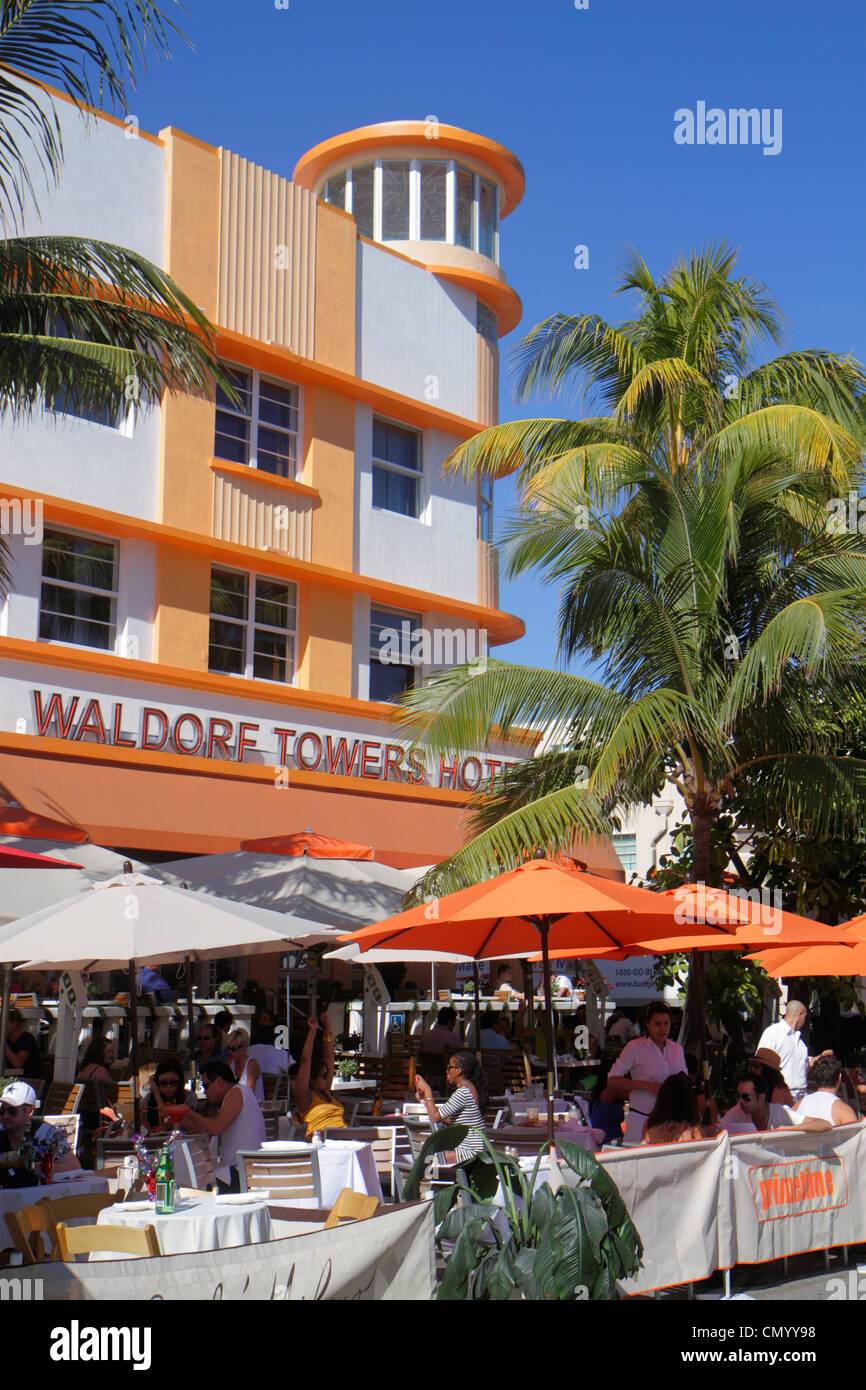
[(84, 325)]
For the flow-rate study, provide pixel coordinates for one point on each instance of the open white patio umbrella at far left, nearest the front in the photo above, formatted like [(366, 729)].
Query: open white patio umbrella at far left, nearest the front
[(136, 919)]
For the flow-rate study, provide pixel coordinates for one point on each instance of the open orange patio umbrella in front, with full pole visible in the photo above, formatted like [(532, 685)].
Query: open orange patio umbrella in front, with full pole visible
[(541, 903)]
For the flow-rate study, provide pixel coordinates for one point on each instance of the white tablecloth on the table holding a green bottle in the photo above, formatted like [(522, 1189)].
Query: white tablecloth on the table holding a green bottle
[(198, 1224)]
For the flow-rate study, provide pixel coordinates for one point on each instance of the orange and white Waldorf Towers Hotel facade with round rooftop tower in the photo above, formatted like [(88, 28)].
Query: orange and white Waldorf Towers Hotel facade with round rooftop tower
[(191, 650)]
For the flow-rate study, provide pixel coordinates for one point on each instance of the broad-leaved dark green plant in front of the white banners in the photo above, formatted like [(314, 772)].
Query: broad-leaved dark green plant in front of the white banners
[(566, 1243)]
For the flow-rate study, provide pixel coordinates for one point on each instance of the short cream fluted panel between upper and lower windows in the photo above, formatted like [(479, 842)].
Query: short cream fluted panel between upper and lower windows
[(265, 518)]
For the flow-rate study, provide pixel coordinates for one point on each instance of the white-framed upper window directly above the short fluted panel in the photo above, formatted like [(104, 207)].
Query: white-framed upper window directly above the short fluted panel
[(262, 427)]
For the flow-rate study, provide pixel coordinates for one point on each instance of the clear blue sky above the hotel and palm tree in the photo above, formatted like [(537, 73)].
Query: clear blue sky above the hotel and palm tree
[(587, 101)]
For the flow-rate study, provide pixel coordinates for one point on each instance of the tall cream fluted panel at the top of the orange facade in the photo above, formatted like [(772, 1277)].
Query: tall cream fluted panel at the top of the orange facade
[(268, 256)]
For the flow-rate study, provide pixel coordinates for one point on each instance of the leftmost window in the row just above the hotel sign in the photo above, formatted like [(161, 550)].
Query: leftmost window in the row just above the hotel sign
[(79, 601)]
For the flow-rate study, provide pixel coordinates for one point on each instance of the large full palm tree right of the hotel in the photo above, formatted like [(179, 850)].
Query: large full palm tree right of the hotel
[(687, 533)]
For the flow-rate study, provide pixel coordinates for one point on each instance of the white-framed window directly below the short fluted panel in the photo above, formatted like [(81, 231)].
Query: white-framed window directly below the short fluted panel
[(254, 623)]
